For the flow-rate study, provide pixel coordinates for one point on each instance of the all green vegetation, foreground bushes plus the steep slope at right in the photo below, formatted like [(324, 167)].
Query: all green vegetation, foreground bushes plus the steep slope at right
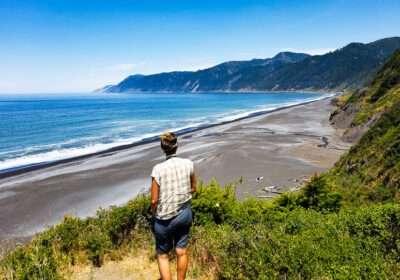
[(344, 224)]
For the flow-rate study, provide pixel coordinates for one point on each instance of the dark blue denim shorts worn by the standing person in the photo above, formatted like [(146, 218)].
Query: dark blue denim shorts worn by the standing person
[(174, 232)]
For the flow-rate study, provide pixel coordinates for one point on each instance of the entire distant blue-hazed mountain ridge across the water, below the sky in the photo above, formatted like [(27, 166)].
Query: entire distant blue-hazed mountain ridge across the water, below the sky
[(344, 69)]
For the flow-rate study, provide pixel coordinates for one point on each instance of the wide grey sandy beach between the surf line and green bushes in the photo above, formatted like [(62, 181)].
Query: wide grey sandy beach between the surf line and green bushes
[(282, 147)]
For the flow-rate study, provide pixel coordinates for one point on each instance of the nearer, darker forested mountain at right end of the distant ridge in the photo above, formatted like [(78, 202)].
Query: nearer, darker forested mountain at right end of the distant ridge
[(343, 69)]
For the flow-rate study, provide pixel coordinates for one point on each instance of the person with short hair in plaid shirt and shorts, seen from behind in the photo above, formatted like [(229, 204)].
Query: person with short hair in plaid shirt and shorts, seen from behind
[(173, 182)]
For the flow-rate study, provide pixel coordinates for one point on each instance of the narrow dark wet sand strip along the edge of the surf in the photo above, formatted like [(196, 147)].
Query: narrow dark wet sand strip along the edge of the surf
[(15, 171)]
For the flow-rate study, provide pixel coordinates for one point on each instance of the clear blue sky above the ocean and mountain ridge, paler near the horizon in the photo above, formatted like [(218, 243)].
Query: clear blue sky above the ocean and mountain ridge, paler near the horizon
[(55, 46)]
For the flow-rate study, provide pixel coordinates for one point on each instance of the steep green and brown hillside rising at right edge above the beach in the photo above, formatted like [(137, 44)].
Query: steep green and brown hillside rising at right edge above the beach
[(370, 171)]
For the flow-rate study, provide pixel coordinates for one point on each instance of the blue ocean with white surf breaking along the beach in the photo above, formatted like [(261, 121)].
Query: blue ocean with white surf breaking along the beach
[(43, 128)]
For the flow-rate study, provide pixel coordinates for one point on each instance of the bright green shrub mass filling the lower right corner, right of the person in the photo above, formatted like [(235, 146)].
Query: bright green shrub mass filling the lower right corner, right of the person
[(307, 244)]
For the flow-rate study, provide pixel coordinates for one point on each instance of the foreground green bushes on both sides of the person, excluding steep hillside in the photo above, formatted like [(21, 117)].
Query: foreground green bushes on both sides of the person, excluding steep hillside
[(230, 239)]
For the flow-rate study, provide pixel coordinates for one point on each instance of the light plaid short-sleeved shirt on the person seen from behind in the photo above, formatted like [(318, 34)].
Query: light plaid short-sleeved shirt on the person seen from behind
[(173, 178)]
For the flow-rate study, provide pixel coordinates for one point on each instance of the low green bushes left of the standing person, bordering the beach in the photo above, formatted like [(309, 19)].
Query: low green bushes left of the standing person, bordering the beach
[(60, 244)]
